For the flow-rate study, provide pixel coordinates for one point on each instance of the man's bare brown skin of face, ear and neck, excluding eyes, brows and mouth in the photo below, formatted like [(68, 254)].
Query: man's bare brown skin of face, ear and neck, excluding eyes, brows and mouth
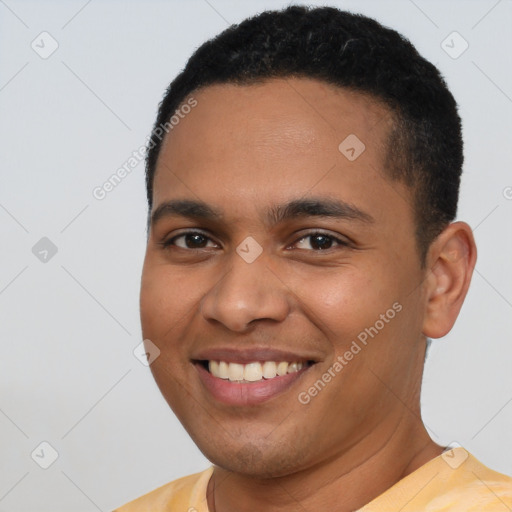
[(244, 149)]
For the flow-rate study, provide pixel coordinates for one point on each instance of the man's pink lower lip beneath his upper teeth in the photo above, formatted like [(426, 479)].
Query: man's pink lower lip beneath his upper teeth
[(247, 393)]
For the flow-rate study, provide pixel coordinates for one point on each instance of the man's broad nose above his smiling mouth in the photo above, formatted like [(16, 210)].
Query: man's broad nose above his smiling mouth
[(246, 292)]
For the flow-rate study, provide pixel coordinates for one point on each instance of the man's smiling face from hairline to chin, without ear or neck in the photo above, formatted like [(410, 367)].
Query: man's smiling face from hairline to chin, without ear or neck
[(272, 243)]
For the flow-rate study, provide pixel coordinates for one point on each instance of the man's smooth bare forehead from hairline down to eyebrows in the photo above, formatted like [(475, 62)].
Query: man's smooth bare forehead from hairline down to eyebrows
[(272, 141)]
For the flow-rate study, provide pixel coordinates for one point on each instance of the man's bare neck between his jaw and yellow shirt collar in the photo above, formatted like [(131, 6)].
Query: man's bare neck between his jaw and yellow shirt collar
[(344, 483)]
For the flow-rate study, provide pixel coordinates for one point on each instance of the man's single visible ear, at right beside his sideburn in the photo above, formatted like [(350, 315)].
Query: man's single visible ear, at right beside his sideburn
[(450, 262)]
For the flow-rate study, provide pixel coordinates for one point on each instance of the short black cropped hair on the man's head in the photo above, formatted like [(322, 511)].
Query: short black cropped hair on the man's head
[(352, 51)]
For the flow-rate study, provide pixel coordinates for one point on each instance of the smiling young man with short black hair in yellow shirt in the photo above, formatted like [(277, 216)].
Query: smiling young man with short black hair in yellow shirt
[(302, 179)]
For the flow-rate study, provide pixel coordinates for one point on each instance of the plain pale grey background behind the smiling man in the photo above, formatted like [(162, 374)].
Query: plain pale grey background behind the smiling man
[(69, 325)]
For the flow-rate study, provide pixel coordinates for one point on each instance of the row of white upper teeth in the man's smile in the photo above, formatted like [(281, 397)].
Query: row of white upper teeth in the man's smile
[(252, 371)]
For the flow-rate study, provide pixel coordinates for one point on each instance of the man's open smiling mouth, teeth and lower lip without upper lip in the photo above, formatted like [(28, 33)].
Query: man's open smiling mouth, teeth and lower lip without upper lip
[(238, 383)]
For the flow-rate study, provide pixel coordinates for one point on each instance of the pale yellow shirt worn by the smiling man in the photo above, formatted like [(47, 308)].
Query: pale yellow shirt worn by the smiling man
[(453, 482)]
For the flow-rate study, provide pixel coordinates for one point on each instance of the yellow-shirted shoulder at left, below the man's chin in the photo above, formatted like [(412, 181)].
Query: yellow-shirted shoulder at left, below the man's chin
[(186, 493)]
